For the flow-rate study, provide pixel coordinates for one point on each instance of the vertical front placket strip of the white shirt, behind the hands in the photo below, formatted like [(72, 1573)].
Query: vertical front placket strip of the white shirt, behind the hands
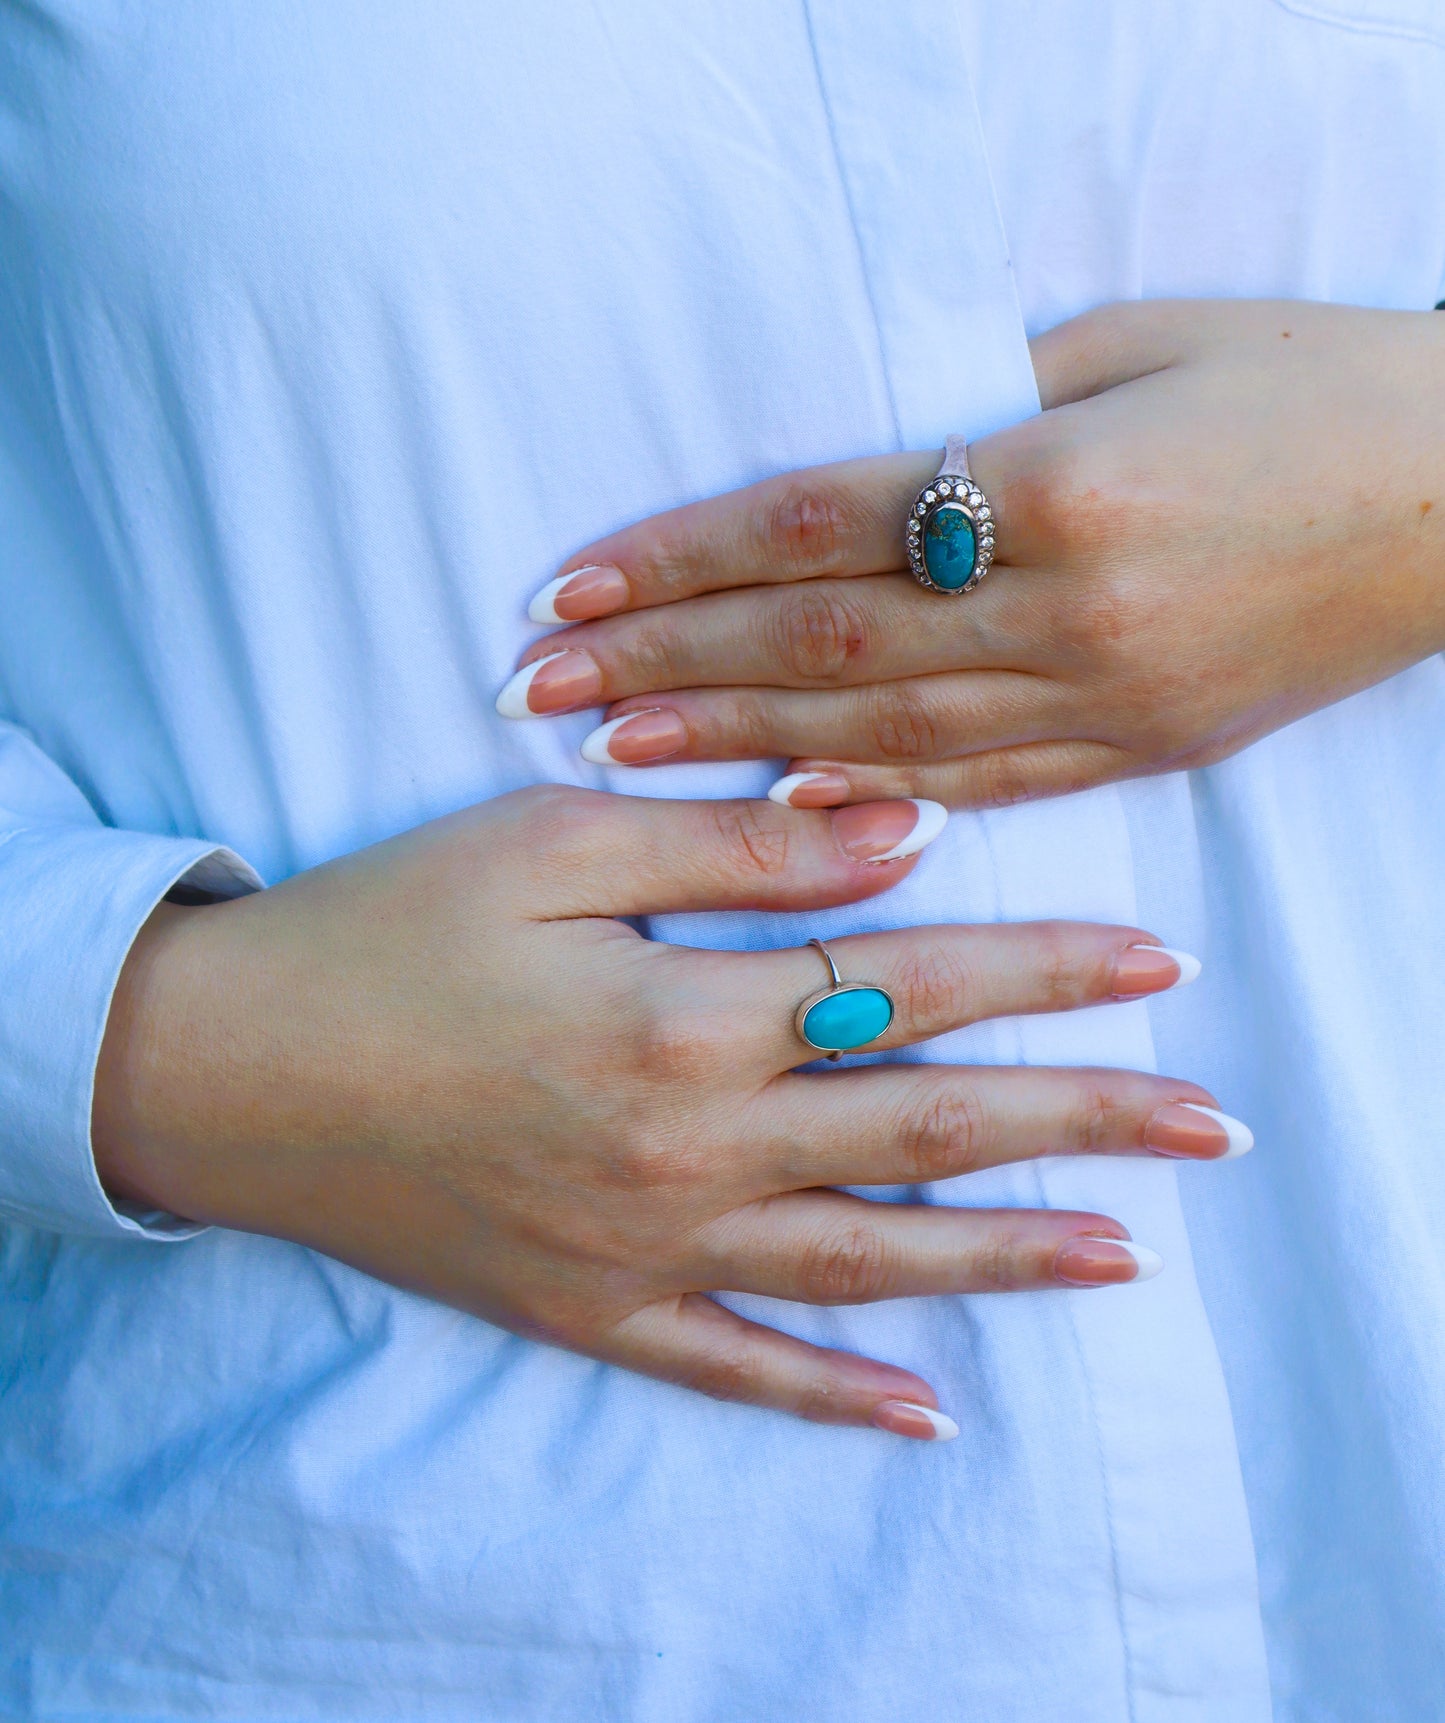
[(952, 333)]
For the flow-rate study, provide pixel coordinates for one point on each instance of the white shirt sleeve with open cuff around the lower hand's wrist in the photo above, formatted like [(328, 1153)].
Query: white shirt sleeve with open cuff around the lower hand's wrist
[(73, 897)]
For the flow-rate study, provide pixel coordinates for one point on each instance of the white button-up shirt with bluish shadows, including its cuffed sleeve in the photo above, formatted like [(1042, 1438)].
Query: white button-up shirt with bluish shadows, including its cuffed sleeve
[(326, 332)]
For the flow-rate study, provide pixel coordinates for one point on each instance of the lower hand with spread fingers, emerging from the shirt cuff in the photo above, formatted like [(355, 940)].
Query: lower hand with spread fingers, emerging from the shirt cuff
[(443, 1061)]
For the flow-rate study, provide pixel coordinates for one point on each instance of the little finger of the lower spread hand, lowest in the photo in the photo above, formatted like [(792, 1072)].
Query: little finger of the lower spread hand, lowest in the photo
[(700, 1345)]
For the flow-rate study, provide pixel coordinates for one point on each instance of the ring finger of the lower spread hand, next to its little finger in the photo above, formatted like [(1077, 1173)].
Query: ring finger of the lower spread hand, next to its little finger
[(831, 1248)]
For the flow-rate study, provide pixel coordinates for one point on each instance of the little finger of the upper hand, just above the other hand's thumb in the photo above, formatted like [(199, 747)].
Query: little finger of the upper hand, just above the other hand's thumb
[(996, 778)]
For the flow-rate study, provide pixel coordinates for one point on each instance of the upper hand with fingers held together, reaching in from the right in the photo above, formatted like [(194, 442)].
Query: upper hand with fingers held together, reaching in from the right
[(1229, 516)]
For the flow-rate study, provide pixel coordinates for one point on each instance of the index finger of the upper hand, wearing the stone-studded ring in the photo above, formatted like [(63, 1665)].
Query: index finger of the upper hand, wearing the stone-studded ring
[(841, 519)]
